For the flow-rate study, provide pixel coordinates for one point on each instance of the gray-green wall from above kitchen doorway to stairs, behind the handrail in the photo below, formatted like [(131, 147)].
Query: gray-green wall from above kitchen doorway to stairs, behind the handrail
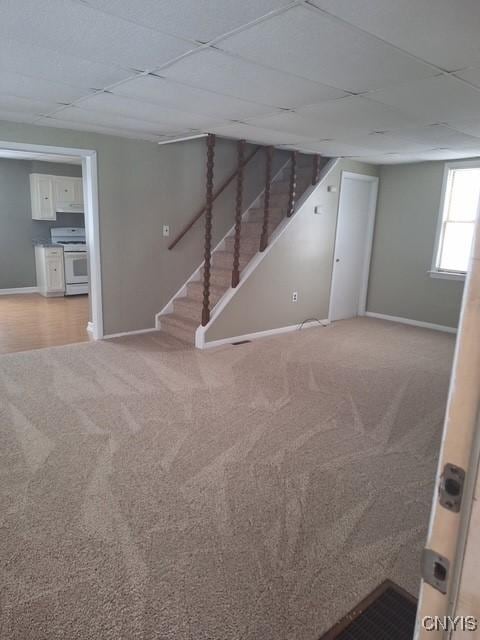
[(141, 187)]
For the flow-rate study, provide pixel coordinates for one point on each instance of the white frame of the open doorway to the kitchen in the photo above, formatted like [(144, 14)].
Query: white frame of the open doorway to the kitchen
[(91, 211)]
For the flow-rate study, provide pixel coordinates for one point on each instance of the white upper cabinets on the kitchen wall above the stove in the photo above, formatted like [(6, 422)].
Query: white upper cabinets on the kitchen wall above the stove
[(52, 194)]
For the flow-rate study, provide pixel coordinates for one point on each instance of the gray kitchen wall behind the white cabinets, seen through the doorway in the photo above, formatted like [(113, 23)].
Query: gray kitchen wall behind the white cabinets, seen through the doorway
[(17, 229)]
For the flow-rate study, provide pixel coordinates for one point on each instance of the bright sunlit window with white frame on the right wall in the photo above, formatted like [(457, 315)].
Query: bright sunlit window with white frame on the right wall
[(460, 203)]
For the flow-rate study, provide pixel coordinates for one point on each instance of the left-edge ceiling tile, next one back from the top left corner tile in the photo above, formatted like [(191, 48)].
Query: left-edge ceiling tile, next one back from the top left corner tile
[(27, 59)]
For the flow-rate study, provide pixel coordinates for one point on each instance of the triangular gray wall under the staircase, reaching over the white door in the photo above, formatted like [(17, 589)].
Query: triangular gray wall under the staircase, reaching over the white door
[(301, 260)]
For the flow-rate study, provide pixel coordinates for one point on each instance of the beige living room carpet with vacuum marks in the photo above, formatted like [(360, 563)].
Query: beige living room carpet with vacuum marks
[(258, 492)]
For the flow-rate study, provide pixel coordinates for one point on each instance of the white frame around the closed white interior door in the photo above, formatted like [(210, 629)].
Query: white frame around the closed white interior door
[(350, 175)]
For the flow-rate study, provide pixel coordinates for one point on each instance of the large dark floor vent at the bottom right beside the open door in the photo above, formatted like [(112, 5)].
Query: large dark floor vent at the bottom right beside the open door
[(388, 613)]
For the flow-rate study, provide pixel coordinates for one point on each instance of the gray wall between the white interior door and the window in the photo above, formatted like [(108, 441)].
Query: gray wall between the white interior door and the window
[(407, 213)]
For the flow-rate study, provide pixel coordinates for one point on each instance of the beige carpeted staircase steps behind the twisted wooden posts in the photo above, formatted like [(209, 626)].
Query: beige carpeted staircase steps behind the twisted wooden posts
[(187, 310)]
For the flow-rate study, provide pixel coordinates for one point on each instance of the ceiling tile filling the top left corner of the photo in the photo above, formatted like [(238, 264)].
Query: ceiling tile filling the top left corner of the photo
[(76, 30)]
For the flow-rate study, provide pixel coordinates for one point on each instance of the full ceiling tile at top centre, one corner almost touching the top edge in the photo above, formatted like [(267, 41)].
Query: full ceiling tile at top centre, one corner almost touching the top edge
[(302, 41)]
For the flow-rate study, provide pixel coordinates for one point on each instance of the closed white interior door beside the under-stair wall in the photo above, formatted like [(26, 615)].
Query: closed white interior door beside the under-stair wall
[(353, 245)]
